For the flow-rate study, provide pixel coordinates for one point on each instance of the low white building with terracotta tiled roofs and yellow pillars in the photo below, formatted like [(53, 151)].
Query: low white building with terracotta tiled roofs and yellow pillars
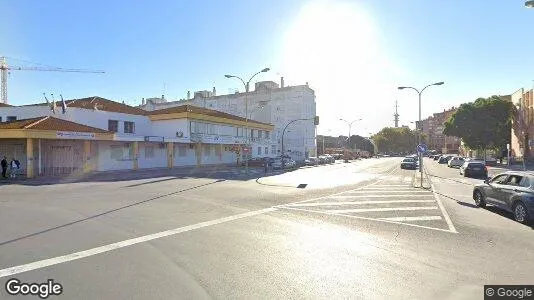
[(97, 134)]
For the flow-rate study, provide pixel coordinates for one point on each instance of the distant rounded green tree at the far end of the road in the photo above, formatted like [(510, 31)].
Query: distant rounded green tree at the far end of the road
[(396, 139)]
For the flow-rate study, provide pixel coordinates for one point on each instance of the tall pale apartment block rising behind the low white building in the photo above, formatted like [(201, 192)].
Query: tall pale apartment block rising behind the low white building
[(268, 103)]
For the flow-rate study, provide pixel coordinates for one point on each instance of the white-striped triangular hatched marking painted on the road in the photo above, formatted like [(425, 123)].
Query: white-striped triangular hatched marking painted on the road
[(392, 200)]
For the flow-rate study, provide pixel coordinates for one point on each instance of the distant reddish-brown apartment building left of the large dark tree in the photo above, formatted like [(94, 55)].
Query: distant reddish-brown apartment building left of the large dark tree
[(432, 128)]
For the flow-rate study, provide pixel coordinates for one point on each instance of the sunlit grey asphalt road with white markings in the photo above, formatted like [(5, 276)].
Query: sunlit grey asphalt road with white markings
[(358, 230)]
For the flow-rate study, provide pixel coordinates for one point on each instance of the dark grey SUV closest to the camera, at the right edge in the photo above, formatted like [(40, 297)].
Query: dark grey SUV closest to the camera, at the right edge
[(511, 191)]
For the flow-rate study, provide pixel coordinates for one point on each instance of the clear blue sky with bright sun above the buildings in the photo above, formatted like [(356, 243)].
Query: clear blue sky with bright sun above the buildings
[(354, 54)]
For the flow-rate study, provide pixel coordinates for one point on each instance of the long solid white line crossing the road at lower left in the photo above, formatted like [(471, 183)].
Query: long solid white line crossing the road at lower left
[(106, 248)]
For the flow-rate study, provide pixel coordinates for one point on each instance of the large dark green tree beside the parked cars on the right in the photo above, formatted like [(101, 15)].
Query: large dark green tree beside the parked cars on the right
[(483, 124)]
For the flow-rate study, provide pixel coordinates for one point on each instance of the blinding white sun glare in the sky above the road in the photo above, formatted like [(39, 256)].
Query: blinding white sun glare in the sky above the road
[(335, 45)]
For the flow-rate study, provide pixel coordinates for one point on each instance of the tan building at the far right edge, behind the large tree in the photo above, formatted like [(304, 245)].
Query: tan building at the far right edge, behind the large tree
[(523, 123)]
